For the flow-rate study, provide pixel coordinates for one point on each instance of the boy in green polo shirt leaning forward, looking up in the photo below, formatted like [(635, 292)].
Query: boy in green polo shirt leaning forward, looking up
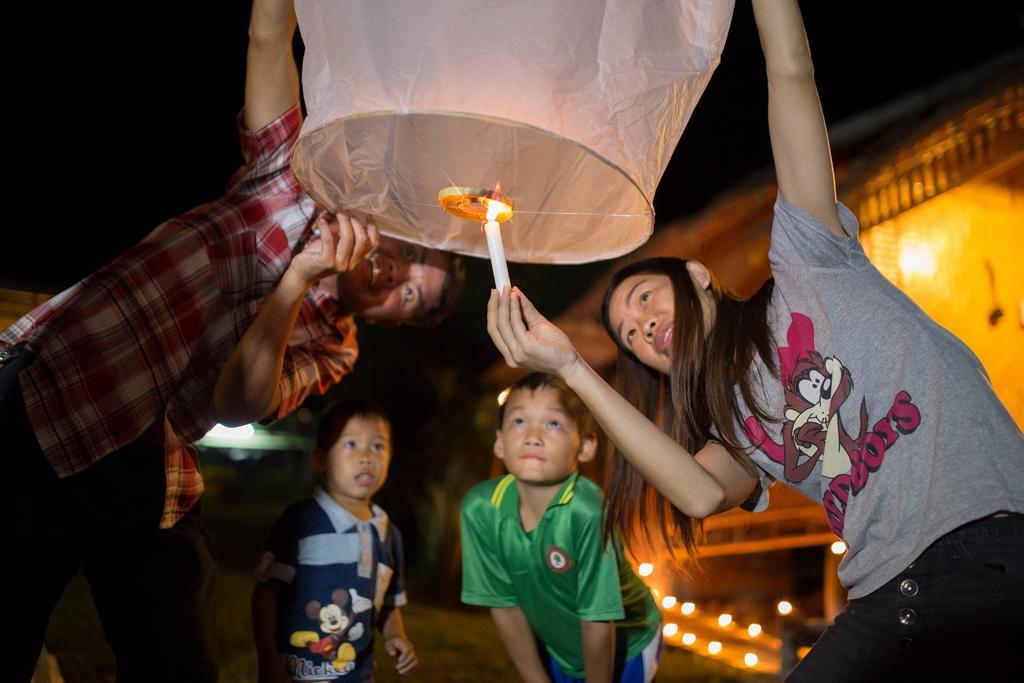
[(567, 608)]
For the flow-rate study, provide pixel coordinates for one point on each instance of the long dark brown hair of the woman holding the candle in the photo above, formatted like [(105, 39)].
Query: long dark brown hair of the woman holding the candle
[(696, 405)]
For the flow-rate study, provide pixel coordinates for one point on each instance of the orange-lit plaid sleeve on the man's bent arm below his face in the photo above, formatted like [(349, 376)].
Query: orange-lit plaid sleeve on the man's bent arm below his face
[(315, 367)]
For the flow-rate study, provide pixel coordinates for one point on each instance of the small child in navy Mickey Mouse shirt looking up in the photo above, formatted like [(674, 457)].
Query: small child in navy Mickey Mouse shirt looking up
[(332, 568)]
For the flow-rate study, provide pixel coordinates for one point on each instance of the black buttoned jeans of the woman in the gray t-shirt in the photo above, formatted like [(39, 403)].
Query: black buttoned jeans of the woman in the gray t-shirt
[(957, 614)]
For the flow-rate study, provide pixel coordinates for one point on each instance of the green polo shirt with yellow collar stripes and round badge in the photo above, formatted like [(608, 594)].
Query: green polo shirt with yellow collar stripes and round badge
[(558, 574)]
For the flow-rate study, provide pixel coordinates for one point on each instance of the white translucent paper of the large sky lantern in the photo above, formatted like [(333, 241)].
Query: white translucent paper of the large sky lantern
[(573, 107)]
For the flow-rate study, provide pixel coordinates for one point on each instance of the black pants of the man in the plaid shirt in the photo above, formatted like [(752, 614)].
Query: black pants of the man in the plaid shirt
[(153, 588)]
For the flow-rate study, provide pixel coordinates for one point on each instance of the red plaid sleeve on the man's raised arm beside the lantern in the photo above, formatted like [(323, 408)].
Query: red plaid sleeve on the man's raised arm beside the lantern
[(267, 153)]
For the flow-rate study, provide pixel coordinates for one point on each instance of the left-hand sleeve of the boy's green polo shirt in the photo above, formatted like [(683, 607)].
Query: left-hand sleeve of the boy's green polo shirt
[(485, 581)]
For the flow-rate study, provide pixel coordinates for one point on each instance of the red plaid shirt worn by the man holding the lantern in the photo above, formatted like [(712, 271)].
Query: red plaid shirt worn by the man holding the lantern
[(144, 338)]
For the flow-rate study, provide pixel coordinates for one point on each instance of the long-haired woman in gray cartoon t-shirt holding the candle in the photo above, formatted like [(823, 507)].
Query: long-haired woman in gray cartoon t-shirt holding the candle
[(831, 381)]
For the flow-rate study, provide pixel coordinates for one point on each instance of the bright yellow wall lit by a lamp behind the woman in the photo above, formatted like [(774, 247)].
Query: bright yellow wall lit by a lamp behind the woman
[(961, 258)]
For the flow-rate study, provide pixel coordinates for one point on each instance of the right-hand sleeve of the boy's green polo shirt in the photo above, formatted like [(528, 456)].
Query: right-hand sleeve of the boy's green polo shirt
[(600, 591)]
